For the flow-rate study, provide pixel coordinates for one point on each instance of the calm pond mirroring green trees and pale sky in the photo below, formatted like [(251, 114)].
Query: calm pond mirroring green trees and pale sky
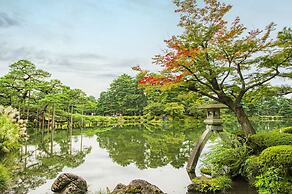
[(106, 157)]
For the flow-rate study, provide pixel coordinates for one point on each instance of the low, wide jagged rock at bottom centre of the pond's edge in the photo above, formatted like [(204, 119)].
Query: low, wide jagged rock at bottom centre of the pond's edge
[(137, 186)]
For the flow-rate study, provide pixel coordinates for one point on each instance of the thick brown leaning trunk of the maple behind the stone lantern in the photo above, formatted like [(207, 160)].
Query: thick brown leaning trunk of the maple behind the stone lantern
[(244, 121)]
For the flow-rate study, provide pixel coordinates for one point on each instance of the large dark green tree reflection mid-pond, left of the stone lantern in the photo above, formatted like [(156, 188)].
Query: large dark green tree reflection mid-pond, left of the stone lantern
[(150, 147)]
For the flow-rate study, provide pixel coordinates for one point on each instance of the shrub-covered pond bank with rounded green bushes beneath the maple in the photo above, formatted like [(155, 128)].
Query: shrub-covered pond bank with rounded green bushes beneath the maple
[(264, 159)]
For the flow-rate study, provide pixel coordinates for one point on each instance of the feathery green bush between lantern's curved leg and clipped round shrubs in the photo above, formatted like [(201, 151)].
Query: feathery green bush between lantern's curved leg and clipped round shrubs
[(227, 157)]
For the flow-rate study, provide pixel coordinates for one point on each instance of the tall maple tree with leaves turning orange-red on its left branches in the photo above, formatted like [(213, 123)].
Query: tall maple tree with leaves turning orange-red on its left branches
[(222, 60)]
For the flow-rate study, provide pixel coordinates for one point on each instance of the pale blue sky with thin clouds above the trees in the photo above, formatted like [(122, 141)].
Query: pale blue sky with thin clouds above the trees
[(88, 43)]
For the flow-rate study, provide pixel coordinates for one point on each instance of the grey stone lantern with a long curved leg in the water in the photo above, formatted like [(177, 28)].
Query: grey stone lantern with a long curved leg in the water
[(213, 123)]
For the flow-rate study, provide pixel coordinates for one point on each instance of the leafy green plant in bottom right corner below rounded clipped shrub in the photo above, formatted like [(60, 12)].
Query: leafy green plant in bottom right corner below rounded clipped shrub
[(273, 182)]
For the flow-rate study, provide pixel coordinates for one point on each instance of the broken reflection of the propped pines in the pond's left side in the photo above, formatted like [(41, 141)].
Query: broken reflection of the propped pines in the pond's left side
[(43, 157)]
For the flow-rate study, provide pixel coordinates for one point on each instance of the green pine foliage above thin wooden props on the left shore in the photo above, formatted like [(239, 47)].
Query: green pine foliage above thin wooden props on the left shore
[(30, 90)]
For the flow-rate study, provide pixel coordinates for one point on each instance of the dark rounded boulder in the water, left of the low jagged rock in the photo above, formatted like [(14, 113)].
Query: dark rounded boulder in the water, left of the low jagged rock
[(69, 183)]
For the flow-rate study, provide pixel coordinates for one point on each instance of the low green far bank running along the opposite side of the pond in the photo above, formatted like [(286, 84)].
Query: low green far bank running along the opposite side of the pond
[(77, 121)]
